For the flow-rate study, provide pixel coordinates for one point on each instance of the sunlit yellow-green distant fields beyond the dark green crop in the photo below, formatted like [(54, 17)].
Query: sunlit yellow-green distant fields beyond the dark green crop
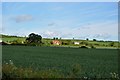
[(47, 42)]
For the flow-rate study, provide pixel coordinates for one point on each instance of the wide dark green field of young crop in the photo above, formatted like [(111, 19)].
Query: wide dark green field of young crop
[(93, 62)]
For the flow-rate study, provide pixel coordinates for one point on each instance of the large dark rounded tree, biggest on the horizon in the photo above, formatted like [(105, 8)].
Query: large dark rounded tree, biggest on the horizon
[(34, 38)]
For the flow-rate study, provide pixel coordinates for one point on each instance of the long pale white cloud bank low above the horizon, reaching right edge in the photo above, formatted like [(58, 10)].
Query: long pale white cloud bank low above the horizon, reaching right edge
[(99, 30)]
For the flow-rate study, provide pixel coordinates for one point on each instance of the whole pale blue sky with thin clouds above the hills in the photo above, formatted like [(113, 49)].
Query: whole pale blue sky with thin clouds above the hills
[(79, 20)]
